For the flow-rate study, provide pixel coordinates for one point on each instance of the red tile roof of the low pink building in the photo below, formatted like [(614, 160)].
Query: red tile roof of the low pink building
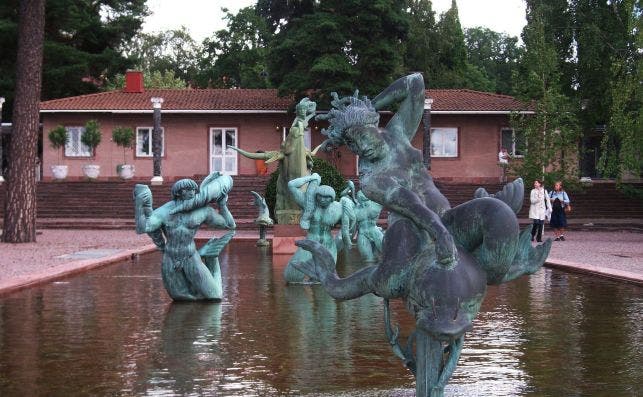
[(445, 100)]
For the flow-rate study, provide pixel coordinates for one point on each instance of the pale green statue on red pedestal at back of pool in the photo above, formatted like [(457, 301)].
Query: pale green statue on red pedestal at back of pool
[(294, 161)]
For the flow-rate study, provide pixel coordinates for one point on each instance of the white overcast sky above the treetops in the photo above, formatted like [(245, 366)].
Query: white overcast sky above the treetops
[(203, 17)]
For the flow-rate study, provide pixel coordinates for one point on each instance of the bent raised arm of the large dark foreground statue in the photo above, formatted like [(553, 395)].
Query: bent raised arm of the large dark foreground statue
[(408, 91)]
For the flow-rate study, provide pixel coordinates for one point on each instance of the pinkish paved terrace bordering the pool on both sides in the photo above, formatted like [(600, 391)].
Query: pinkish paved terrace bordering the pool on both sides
[(60, 253)]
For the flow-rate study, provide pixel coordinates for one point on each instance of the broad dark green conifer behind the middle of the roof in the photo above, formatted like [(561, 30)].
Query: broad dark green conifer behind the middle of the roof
[(338, 46)]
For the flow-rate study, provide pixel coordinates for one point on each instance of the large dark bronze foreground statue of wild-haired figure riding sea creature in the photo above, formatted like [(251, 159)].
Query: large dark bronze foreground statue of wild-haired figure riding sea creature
[(438, 259)]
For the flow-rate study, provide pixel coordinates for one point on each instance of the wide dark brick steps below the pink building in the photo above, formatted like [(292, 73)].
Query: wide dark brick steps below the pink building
[(106, 205)]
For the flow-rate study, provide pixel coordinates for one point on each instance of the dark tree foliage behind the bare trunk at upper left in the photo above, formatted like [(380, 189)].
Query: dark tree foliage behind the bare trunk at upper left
[(82, 42)]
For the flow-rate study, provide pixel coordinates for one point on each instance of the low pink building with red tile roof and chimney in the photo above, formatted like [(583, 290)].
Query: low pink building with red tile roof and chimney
[(467, 130)]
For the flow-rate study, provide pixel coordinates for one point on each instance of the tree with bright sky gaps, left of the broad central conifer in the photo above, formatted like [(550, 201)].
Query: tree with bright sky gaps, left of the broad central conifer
[(236, 56)]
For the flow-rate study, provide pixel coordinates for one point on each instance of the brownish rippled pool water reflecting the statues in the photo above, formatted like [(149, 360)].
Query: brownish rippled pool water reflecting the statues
[(114, 331)]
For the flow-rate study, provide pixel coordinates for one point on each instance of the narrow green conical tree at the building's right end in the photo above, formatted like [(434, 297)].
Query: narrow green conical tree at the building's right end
[(551, 134)]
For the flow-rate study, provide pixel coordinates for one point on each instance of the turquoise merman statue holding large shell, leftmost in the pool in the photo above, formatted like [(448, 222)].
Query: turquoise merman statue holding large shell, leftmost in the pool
[(188, 274)]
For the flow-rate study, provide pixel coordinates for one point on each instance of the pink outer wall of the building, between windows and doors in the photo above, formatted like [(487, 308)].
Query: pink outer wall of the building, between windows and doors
[(187, 144)]
